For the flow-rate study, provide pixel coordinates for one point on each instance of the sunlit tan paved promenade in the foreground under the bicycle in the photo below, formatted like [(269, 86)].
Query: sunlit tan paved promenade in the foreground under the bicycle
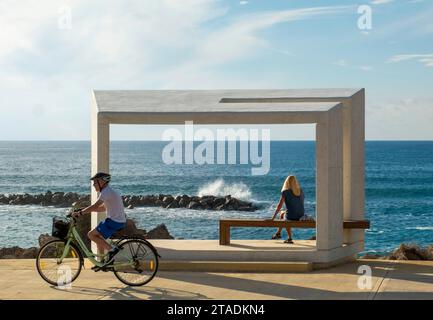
[(390, 280)]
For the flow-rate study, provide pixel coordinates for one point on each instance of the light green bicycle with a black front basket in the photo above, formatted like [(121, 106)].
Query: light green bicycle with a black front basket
[(59, 261)]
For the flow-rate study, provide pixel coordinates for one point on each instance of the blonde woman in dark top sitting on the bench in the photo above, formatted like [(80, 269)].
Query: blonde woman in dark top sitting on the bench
[(293, 196)]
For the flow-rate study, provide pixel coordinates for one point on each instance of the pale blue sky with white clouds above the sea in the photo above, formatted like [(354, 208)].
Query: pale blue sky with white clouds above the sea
[(53, 53)]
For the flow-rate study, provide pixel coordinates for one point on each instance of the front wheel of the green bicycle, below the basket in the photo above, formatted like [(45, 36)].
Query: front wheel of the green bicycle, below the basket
[(55, 271)]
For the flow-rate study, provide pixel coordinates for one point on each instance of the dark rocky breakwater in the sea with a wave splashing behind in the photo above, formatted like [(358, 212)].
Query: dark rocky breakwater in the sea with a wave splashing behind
[(62, 199)]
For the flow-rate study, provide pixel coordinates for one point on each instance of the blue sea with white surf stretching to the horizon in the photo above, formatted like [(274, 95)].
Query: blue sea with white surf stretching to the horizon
[(398, 188)]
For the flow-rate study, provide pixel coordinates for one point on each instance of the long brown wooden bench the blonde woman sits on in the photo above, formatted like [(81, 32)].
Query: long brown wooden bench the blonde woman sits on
[(226, 224)]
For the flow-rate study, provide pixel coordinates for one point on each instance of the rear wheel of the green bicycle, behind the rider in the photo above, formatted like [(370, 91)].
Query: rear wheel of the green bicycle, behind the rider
[(137, 262)]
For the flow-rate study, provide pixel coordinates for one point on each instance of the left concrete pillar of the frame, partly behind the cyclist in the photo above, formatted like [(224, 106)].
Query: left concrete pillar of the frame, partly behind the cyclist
[(100, 146)]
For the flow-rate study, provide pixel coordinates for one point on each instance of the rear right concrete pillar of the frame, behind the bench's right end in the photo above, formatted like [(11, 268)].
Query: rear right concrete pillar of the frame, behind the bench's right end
[(354, 164)]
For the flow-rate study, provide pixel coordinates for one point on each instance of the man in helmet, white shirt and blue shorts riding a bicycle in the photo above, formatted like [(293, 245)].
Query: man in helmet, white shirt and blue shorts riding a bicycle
[(111, 202)]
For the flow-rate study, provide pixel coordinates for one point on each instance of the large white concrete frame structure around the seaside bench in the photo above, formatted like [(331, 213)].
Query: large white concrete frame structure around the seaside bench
[(338, 114)]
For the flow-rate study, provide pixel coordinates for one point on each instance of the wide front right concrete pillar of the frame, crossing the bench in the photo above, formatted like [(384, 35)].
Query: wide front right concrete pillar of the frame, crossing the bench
[(329, 180)]
